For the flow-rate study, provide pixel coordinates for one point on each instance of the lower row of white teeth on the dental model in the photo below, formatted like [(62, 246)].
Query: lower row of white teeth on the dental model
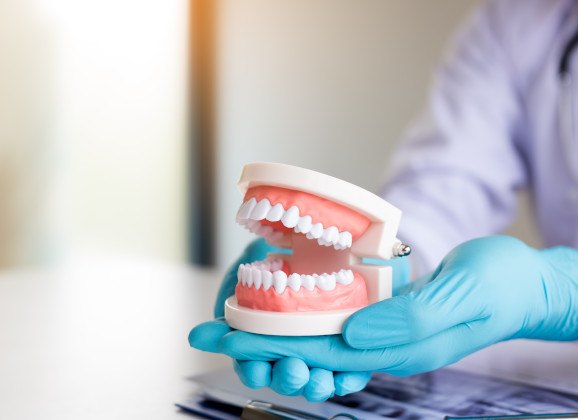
[(259, 275)]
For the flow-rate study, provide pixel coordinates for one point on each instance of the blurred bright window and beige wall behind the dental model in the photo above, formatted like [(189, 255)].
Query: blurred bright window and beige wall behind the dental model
[(124, 124)]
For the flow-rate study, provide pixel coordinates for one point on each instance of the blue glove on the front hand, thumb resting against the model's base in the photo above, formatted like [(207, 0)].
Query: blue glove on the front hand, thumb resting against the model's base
[(484, 291)]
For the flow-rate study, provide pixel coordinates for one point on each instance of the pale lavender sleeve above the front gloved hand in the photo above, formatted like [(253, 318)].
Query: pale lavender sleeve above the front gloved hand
[(456, 174)]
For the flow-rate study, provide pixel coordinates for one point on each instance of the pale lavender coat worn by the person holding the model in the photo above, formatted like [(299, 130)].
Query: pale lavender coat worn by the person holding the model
[(493, 126)]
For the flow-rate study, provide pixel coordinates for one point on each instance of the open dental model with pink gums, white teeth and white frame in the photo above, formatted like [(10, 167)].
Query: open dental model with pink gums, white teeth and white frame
[(330, 225)]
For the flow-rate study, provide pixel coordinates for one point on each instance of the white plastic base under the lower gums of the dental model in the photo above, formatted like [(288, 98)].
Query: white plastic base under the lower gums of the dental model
[(285, 323)]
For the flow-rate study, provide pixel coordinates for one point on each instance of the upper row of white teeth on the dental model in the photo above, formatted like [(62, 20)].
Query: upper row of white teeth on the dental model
[(251, 212)]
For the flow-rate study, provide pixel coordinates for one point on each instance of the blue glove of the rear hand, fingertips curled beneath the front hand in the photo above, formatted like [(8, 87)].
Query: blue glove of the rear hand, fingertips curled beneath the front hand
[(288, 376)]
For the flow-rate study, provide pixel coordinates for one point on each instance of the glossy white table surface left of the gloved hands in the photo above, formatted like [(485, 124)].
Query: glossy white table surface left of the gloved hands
[(101, 339)]
